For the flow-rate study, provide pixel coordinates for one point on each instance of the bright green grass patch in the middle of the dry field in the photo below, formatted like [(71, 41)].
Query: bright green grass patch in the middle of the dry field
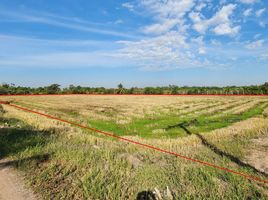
[(158, 126)]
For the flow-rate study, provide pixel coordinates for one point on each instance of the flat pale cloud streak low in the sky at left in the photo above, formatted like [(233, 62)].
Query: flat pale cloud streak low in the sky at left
[(64, 60)]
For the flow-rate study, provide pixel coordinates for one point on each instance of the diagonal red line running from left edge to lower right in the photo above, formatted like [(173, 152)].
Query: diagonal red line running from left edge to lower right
[(139, 143)]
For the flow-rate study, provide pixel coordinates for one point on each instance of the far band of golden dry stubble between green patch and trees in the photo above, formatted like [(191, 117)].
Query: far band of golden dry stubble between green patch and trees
[(128, 107)]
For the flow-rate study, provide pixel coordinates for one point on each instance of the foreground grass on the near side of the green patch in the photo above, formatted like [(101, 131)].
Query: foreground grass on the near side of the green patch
[(62, 162)]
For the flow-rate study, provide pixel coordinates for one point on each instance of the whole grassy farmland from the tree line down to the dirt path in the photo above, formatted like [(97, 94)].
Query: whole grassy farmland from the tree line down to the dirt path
[(72, 163)]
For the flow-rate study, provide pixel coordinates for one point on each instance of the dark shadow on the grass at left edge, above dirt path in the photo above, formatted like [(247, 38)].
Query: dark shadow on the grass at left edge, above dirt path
[(16, 137)]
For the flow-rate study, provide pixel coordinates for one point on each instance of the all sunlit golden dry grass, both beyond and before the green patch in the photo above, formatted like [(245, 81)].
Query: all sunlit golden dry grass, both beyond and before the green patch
[(102, 168)]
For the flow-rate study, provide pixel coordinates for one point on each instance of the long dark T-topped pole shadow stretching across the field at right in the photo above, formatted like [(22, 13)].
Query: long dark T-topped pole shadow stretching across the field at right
[(214, 148)]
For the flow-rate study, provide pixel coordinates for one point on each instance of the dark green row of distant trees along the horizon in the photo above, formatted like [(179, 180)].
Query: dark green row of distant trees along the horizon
[(171, 89)]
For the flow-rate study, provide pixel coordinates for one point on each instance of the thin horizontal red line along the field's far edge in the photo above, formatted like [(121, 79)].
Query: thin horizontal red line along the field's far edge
[(251, 95)]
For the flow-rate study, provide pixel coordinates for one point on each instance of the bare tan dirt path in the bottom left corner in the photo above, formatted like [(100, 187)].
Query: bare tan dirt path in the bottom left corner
[(12, 185)]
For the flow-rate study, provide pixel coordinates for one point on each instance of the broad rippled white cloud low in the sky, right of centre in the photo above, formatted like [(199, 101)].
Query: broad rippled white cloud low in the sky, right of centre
[(170, 51)]
